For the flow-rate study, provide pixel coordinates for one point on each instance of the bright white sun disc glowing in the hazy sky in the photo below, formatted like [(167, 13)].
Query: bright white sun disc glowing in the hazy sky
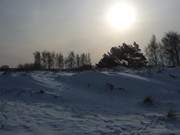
[(121, 16)]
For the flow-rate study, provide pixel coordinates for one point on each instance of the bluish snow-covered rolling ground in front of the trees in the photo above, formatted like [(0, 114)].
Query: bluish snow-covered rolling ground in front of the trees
[(91, 103)]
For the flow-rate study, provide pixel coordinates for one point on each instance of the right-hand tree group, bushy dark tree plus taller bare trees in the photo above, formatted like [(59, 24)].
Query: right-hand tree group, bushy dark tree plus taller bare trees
[(163, 53)]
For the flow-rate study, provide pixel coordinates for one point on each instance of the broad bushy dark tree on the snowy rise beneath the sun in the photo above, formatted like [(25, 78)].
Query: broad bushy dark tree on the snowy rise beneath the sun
[(125, 55)]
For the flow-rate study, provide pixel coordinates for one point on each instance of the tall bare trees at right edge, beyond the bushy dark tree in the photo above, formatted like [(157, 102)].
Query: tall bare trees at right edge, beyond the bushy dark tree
[(165, 52)]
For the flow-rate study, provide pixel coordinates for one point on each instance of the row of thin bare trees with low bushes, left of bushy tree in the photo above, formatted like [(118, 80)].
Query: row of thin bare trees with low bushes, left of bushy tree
[(47, 60)]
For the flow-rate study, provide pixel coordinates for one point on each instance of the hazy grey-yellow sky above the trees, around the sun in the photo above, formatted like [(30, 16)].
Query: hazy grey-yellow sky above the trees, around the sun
[(79, 25)]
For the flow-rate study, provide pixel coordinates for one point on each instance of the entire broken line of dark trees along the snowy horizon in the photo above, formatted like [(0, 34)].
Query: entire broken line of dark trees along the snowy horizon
[(164, 53)]
